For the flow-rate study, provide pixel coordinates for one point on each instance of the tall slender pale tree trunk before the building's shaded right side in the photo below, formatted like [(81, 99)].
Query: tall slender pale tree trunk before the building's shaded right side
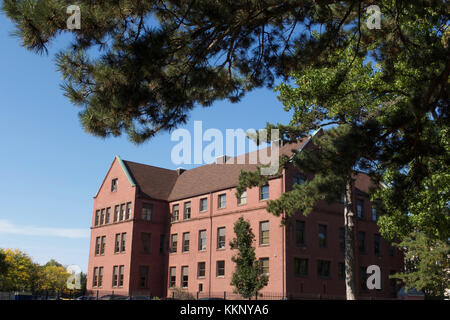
[(349, 254)]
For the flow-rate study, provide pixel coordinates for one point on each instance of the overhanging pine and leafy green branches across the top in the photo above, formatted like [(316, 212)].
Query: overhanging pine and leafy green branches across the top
[(140, 66)]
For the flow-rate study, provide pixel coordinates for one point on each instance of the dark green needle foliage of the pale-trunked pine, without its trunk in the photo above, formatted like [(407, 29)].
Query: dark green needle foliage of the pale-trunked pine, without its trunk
[(330, 175)]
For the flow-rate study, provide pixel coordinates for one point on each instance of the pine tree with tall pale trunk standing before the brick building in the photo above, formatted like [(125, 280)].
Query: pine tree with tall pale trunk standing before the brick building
[(332, 157)]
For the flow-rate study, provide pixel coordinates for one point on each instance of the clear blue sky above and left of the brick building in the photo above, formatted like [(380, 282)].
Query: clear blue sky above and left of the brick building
[(50, 168)]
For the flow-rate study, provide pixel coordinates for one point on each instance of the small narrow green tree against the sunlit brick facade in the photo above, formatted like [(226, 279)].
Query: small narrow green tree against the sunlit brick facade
[(247, 278)]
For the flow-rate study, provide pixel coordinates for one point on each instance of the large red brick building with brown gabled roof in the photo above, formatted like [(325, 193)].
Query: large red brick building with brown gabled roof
[(154, 228)]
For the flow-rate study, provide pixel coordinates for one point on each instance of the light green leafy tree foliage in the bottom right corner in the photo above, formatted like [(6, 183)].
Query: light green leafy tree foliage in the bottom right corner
[(428, 264)]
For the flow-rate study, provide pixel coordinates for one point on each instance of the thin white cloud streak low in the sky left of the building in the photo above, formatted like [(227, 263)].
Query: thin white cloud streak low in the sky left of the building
[(9, 228)]
